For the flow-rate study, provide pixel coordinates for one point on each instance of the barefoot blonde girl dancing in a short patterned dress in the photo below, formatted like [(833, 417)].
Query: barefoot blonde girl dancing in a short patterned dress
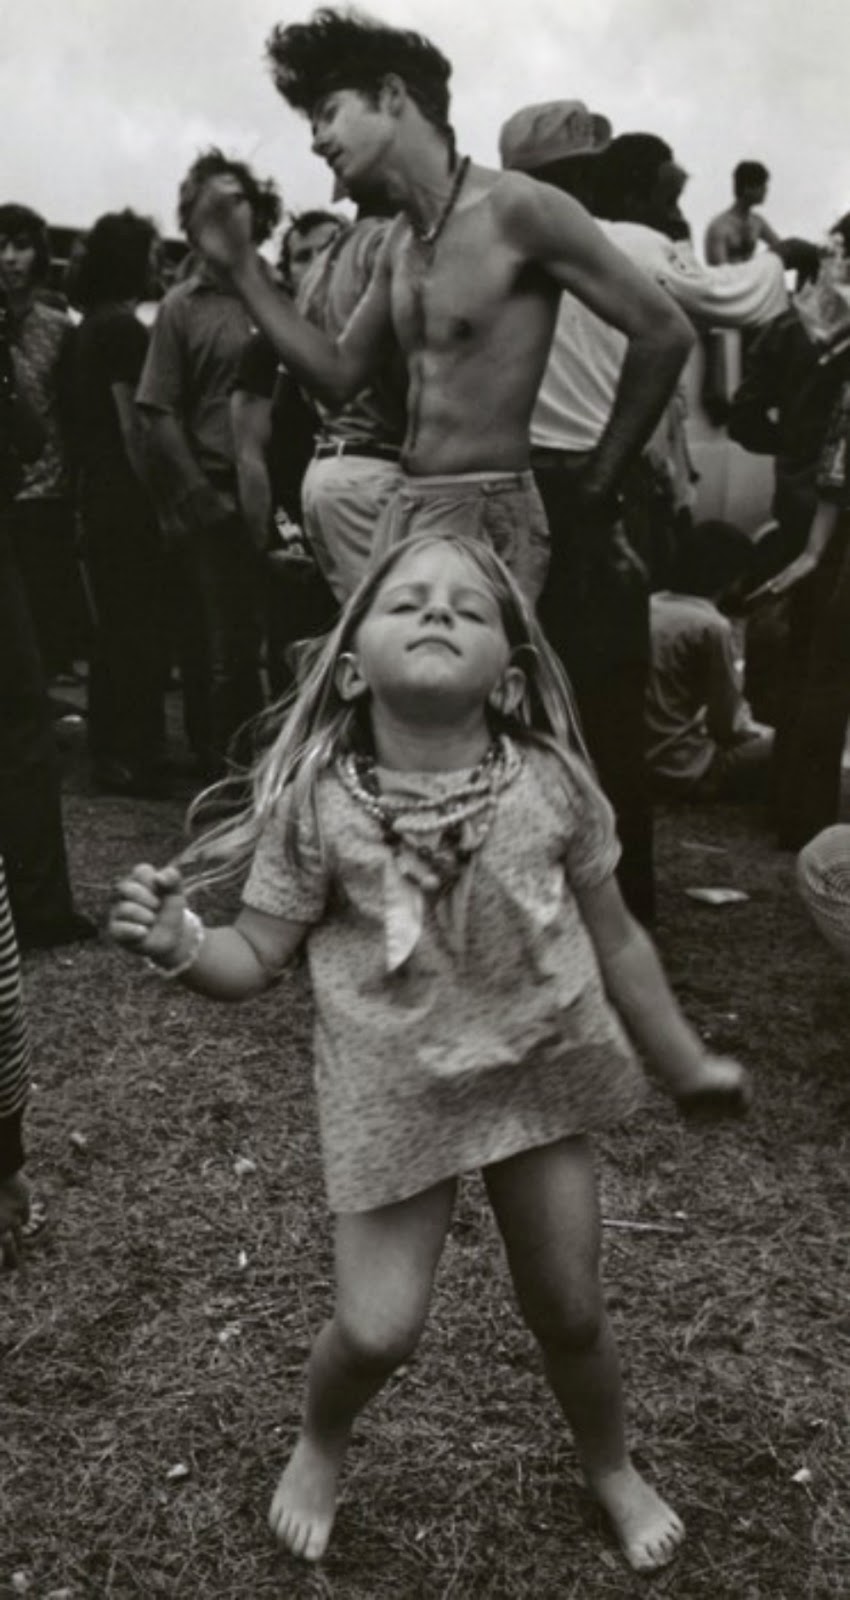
[(425, 823)]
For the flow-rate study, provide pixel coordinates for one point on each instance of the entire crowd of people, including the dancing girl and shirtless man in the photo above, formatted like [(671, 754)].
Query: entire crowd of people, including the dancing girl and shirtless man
[(427, 489)]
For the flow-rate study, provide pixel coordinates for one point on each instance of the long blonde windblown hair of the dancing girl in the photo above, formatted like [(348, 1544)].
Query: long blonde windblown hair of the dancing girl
[(316, 726)]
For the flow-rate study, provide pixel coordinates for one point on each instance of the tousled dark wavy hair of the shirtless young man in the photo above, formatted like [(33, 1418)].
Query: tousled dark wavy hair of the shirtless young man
[(347, 50)]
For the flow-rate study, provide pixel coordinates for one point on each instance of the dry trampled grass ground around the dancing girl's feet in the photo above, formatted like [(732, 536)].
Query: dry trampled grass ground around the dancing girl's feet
[(170, 1302)]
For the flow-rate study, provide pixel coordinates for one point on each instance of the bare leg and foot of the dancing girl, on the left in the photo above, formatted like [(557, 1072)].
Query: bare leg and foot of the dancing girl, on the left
[(385, 1268)]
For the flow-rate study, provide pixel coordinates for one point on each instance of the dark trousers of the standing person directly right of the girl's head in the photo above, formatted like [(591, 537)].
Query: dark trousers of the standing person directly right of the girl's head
[(596, 618)]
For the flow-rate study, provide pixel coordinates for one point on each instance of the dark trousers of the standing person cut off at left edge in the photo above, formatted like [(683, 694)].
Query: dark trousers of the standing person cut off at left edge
[(31, 818)]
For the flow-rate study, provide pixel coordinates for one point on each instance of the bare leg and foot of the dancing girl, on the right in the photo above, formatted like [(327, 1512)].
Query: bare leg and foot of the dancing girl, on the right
[(548, 1214)]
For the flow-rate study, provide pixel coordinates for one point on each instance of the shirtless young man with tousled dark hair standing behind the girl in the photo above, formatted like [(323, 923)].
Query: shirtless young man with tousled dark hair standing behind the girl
[(470, 282)]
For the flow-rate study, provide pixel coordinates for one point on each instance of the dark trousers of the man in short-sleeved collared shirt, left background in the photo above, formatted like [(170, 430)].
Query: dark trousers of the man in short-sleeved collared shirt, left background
[(219, 641)]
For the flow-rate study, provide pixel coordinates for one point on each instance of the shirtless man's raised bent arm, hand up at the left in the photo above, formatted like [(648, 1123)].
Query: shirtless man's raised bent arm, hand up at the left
[(331, 369)]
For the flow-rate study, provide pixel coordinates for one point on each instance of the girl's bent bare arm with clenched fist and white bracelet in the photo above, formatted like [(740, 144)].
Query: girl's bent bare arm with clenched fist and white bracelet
[(151, 918)]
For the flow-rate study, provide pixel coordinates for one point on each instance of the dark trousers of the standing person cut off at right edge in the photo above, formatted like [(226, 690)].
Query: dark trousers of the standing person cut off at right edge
[(816, 700)]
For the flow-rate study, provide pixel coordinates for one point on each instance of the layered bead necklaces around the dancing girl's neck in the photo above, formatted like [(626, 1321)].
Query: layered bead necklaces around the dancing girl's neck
[(439, 834)]
